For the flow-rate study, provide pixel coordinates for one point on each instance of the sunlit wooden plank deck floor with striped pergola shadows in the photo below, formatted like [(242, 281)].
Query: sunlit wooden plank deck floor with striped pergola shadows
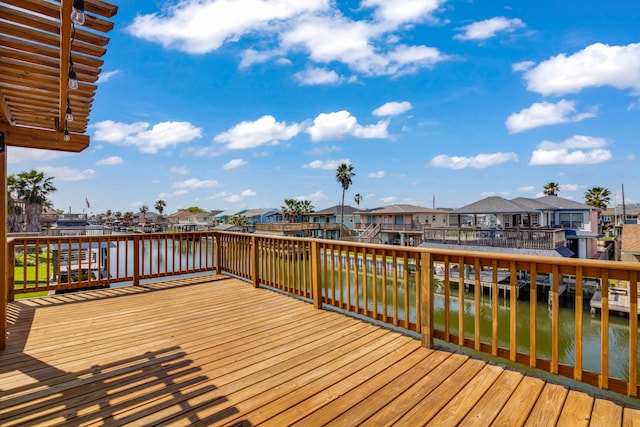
[(215, 351)]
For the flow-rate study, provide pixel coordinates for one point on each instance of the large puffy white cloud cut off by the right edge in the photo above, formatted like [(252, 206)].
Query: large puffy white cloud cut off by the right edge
[(596, 65)]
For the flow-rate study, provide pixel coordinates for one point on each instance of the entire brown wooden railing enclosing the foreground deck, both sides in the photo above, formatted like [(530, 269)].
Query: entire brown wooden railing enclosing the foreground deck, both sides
[(488, 302)]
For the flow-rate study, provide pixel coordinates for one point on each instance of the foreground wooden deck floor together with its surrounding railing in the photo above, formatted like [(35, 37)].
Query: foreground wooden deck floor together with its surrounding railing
[(217, 346)]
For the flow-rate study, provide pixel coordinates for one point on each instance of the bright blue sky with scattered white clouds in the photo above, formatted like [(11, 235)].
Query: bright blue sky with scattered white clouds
[(231, 104)]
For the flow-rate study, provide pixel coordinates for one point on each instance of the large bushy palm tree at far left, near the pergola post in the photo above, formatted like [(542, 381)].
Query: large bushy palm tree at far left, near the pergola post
[(32, 189)]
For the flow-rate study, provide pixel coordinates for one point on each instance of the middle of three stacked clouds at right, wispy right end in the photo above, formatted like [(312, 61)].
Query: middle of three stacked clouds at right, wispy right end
[(546, 113)]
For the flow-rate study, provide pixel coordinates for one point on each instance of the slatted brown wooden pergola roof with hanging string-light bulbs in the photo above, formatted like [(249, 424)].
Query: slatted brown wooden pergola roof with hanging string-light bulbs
[(41, 48)]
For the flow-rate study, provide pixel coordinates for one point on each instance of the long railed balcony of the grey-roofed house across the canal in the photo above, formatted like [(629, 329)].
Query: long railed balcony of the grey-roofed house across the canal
[(522, 238)]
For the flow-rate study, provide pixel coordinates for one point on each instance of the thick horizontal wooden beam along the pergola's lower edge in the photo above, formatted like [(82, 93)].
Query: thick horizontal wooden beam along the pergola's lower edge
[(16, 136)]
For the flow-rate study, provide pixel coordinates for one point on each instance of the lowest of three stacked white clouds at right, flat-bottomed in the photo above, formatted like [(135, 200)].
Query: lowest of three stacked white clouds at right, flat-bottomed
[(577, 150)]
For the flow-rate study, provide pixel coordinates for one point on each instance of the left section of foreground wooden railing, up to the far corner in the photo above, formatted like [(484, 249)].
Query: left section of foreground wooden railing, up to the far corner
[(74, 262)]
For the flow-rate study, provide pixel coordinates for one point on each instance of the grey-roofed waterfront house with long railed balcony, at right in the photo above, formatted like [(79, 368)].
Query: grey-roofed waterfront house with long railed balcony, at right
[(549, 225)]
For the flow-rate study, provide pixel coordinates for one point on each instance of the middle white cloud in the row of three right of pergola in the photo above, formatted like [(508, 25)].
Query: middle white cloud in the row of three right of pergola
[(263, 131)]
